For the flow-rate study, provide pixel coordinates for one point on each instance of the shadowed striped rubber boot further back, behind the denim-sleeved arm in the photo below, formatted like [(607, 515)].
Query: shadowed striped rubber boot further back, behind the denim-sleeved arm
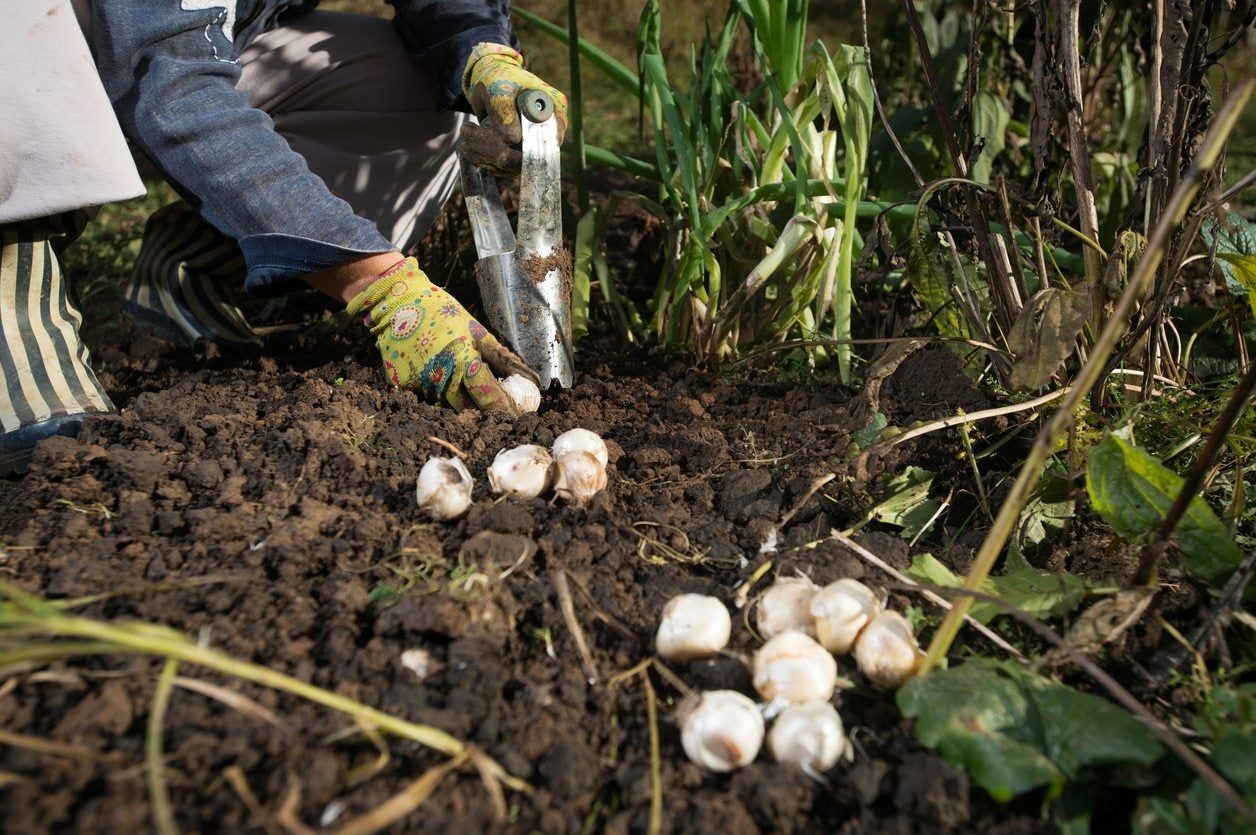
[(181, 284)]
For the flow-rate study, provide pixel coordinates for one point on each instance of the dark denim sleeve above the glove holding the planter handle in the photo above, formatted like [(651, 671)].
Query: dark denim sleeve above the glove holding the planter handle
[(443, 33)]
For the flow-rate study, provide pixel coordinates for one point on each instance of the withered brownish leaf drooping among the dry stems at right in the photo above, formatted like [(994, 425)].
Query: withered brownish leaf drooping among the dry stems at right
[(1044, 335)]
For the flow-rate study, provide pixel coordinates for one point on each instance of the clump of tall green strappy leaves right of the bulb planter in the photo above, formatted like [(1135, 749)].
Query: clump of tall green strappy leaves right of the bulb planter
[(761, 190)]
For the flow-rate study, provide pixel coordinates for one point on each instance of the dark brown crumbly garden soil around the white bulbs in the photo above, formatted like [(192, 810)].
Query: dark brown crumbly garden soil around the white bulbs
[(287, 478)]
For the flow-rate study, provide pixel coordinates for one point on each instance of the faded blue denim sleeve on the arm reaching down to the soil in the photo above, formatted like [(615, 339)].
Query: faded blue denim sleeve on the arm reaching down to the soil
[(170, 70)]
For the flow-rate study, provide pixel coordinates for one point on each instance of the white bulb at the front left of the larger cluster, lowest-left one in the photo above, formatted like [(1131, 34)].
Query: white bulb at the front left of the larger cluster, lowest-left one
[(722, 730)]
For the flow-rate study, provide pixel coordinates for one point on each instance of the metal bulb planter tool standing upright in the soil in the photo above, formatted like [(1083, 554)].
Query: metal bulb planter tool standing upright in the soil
[(527, 304)]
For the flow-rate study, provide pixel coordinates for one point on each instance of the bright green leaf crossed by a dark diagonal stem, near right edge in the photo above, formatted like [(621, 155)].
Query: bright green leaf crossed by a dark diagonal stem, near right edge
[(1132, 492)]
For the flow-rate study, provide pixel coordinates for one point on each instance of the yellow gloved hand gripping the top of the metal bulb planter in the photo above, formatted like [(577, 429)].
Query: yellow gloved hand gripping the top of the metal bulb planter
[(493, 78)]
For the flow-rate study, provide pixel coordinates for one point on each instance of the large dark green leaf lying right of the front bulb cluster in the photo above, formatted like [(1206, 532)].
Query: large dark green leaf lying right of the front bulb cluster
[(1014, 731)]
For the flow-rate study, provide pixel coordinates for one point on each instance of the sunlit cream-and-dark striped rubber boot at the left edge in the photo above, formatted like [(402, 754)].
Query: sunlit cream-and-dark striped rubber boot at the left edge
[(47, 385)]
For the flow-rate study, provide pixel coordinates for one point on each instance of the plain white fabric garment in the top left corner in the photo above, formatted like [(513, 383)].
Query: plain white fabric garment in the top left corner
[(61, 146)]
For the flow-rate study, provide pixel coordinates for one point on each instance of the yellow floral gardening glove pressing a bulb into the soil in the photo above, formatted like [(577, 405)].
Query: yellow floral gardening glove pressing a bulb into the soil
[(430, 343)]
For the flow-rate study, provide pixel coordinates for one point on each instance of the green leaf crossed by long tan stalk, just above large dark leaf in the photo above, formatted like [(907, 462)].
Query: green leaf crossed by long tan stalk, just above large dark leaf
[(1043, 595)]
